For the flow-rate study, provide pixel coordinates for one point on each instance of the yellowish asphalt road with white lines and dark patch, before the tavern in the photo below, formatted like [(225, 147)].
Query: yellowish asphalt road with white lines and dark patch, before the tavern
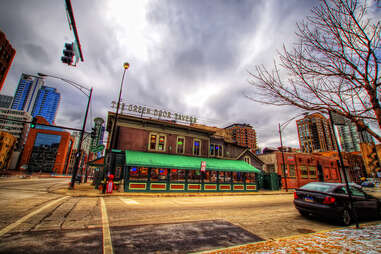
[(33, 220)]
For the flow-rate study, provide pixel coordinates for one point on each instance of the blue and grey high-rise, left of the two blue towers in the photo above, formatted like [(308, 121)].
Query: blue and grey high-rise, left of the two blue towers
[(26, 92)]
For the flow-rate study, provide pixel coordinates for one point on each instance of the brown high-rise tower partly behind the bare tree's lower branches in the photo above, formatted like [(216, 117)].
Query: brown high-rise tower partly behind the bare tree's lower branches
[(315, 134)]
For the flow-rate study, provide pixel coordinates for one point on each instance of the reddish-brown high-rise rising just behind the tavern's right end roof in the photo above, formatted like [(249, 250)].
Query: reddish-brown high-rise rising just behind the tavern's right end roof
[(243, 135)]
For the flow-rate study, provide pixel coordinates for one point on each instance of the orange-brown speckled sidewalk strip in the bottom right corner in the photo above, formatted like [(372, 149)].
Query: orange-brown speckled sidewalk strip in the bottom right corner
[(367, 240)]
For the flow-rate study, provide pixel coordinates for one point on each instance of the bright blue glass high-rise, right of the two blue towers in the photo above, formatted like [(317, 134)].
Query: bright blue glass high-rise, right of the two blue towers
[(46, 103)]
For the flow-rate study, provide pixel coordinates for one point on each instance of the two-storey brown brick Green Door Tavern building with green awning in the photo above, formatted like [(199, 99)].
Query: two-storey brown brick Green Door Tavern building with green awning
[(162, 155)]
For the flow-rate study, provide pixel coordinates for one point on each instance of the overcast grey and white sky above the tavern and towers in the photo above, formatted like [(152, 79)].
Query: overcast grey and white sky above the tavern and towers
[(191, 57)]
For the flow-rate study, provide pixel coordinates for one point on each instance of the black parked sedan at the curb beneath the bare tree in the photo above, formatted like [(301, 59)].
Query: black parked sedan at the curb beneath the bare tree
[(332, 201)]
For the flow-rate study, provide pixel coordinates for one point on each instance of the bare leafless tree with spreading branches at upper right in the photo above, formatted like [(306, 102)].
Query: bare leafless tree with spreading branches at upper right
[(334, 66)]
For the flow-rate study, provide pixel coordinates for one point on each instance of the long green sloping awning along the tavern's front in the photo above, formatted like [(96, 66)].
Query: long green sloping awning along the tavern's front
[(159, 160)]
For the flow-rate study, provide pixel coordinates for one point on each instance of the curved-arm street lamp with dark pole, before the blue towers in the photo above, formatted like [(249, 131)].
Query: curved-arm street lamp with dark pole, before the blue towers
[(83, 90)]
